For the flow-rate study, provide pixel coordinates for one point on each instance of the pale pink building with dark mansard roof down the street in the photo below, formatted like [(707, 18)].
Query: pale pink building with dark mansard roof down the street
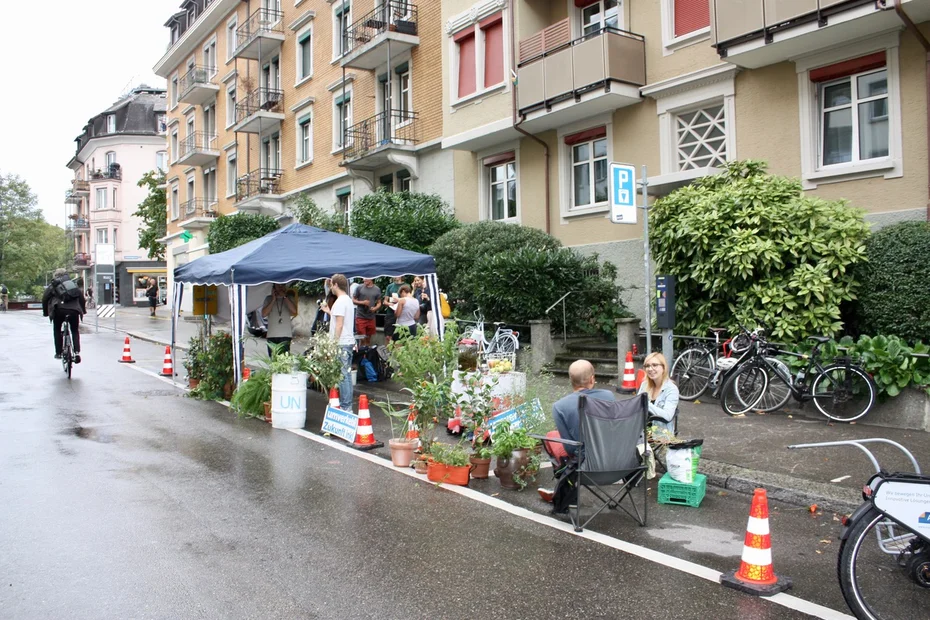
[(114, 150)]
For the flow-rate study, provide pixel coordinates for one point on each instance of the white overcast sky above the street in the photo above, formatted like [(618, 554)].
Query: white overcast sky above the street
[(62, 64)]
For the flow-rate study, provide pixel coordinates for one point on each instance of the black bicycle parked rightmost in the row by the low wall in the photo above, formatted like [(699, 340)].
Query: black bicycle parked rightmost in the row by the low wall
[(842, 391)]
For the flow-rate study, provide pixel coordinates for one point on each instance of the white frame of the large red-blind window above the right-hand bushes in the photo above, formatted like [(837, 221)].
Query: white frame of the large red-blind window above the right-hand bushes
[(890, 167)]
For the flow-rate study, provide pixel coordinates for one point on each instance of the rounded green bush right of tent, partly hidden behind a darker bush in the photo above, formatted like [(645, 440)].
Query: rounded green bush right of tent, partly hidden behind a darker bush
[(457, 251)]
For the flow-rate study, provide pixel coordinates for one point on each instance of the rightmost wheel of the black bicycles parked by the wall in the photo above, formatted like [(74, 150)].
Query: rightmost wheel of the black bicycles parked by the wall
[(843, 393)]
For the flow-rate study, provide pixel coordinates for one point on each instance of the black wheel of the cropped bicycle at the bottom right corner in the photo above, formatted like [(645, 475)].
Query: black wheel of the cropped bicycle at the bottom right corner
[(884, 570)]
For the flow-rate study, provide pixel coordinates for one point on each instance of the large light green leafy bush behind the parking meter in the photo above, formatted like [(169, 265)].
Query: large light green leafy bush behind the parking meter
[(750, 246)]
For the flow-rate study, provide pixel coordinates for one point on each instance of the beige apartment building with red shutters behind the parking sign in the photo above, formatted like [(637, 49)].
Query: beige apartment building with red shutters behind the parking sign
[(540, 95)]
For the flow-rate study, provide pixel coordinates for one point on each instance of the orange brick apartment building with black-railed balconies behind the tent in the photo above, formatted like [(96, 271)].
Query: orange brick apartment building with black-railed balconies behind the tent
[(276, 99)]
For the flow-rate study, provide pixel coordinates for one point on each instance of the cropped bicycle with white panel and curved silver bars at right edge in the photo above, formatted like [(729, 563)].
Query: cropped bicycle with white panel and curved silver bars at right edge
[(883, 563)]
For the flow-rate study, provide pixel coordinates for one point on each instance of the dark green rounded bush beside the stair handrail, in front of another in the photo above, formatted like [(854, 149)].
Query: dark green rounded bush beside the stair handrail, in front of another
[(518, 286)]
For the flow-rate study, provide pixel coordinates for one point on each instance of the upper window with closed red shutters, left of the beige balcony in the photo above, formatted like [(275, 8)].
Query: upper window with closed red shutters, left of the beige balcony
[(479, 56)]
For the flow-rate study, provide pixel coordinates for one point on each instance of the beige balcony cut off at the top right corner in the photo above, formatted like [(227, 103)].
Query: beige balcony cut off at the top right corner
[(757, 33)]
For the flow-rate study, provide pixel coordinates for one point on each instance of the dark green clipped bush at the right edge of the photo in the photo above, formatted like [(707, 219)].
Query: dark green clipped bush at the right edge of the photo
[(894, 298)]
